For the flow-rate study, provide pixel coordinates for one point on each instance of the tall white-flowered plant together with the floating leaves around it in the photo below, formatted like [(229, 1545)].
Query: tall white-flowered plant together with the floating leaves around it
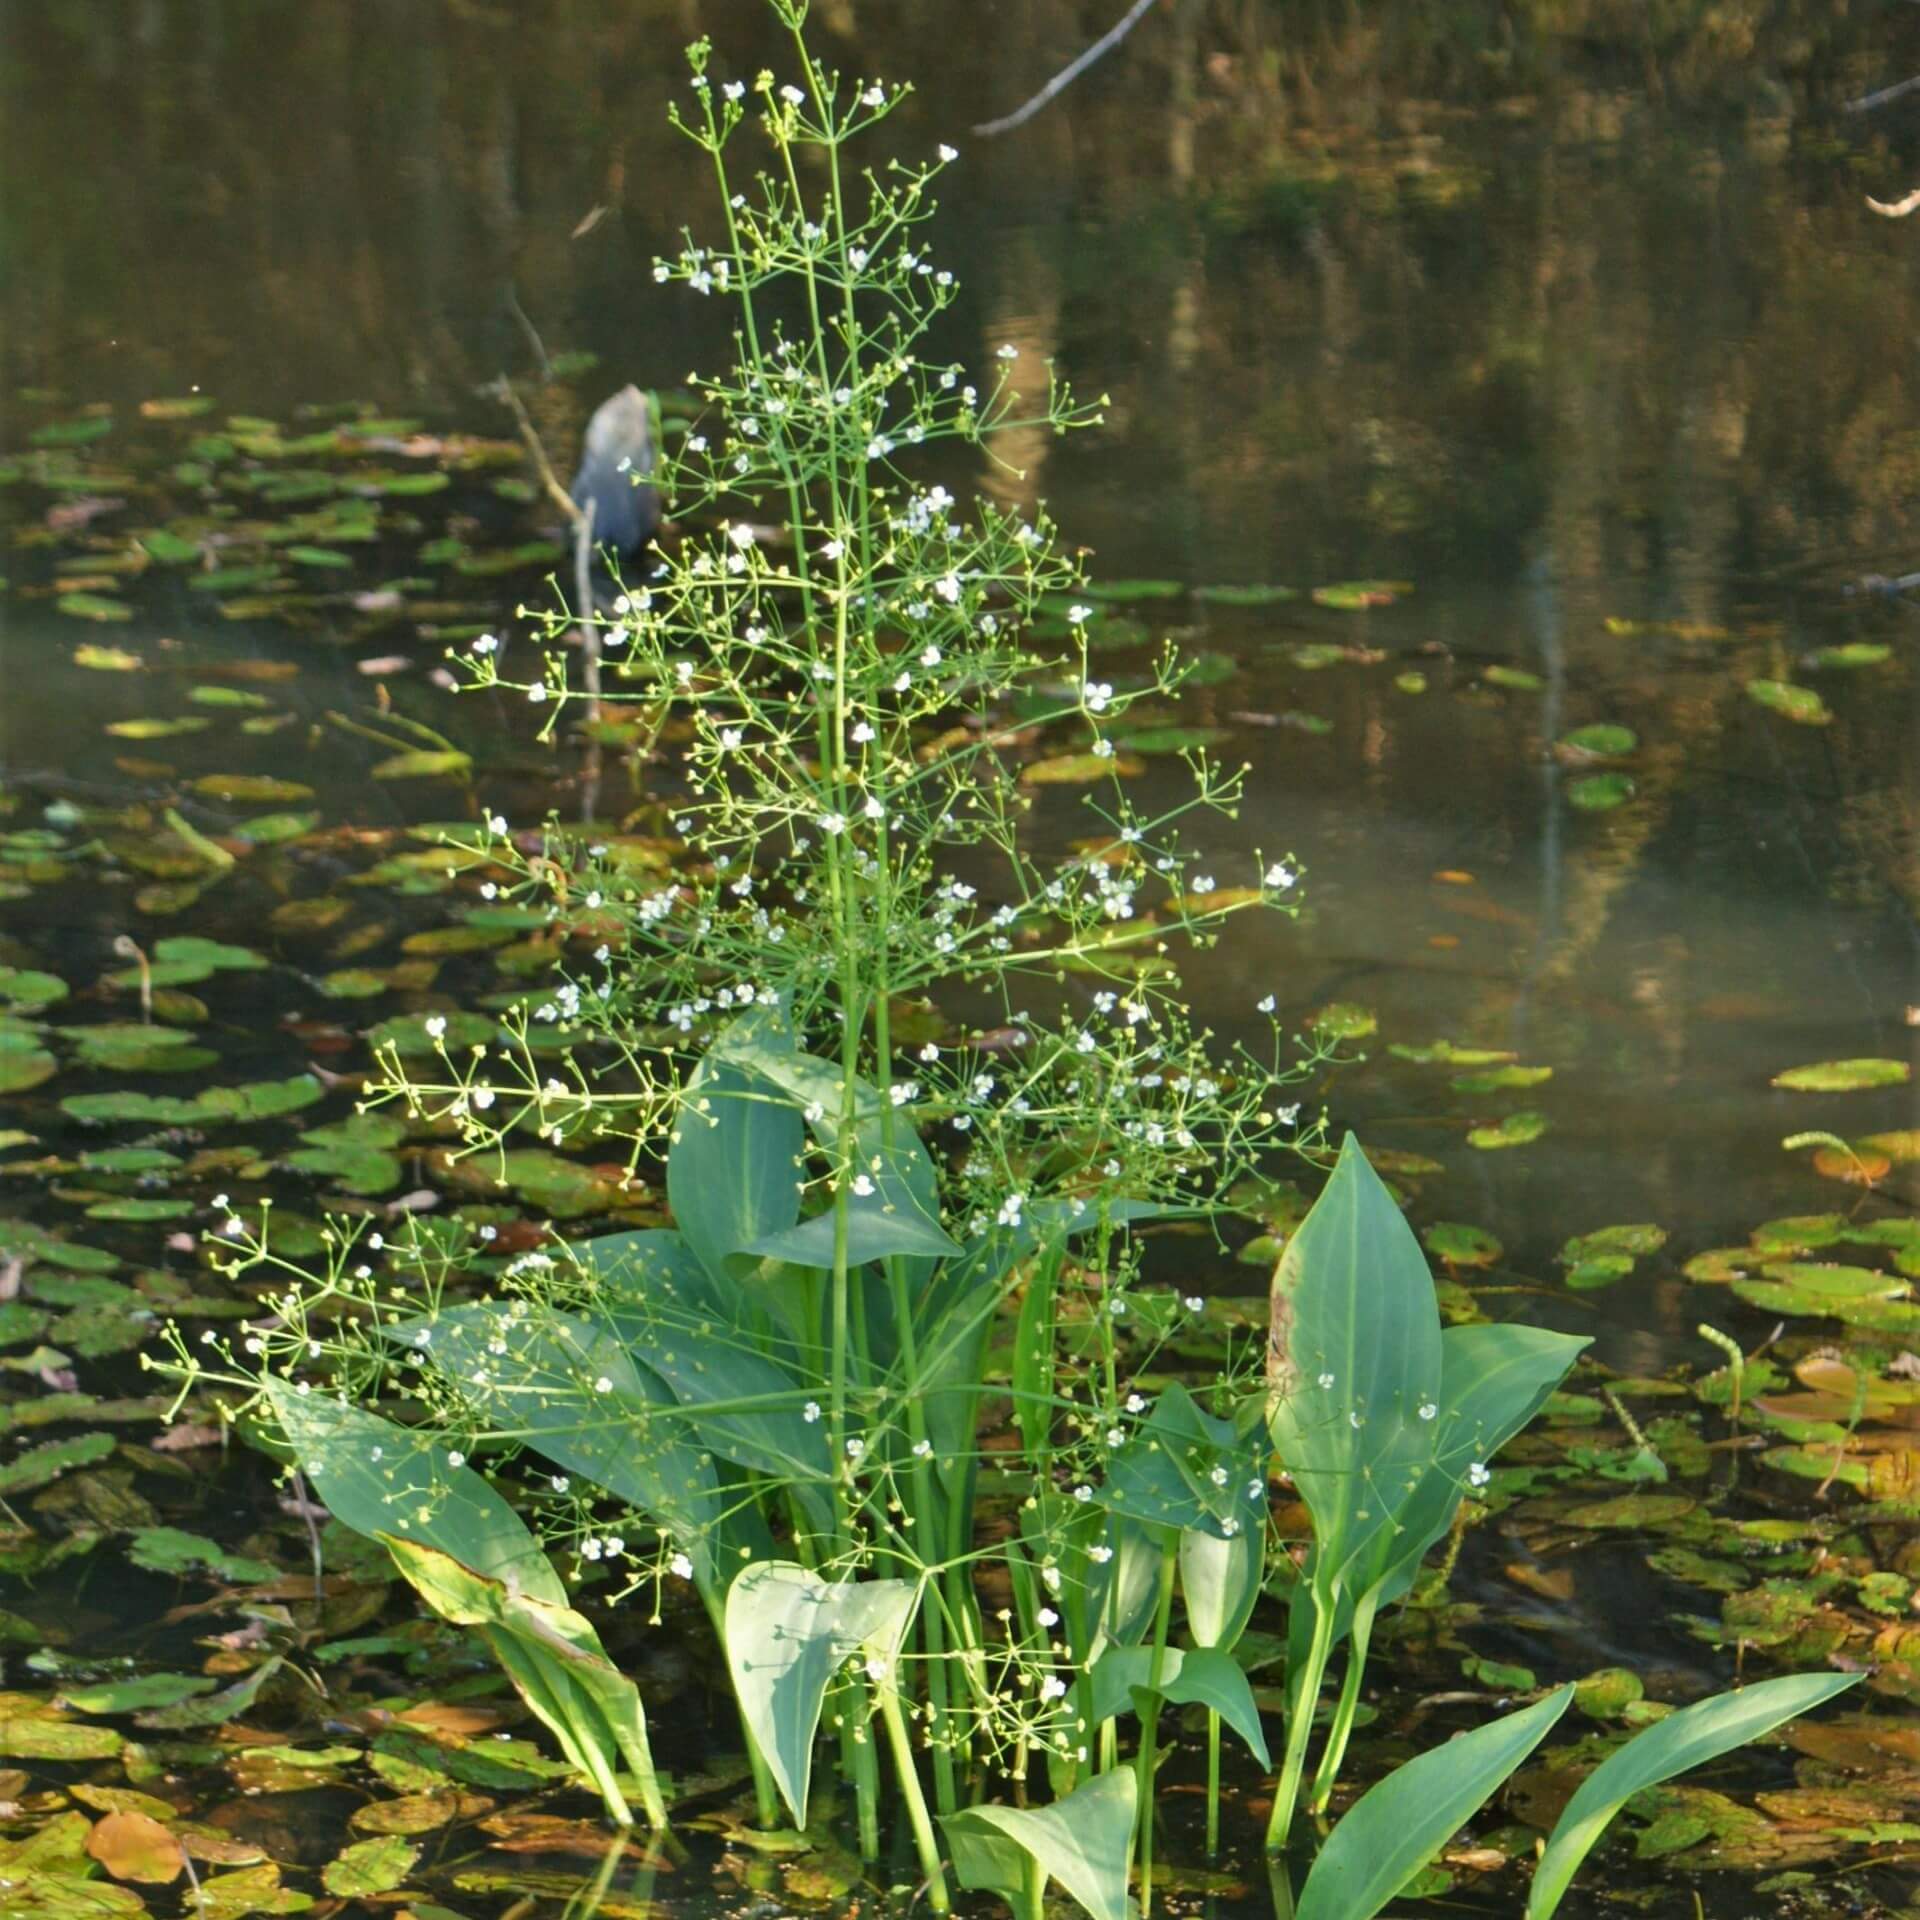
[(780, 1230)]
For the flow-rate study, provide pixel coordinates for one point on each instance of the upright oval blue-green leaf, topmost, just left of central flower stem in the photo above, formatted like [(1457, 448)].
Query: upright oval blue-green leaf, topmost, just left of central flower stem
[(734, 1170)]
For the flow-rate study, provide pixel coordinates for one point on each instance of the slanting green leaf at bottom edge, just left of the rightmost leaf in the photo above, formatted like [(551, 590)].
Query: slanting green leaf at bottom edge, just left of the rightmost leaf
[(1399, 1827)]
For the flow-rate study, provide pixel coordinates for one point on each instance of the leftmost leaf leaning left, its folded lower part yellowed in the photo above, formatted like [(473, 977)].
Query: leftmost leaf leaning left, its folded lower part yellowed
[(469, 1556)]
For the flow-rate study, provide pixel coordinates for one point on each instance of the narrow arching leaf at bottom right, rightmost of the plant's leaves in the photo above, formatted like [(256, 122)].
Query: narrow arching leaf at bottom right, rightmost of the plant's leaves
[(1673, 1746)]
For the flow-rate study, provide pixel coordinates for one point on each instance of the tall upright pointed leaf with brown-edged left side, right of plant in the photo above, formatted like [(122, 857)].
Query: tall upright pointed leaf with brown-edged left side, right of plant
[(1353, 1358)]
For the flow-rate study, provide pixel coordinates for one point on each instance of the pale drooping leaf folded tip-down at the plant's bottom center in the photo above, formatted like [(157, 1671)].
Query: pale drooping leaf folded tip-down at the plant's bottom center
[(788, 1633)]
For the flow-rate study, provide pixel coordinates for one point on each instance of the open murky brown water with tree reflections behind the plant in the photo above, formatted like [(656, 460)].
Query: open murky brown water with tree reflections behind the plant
[(1583, 331)]
